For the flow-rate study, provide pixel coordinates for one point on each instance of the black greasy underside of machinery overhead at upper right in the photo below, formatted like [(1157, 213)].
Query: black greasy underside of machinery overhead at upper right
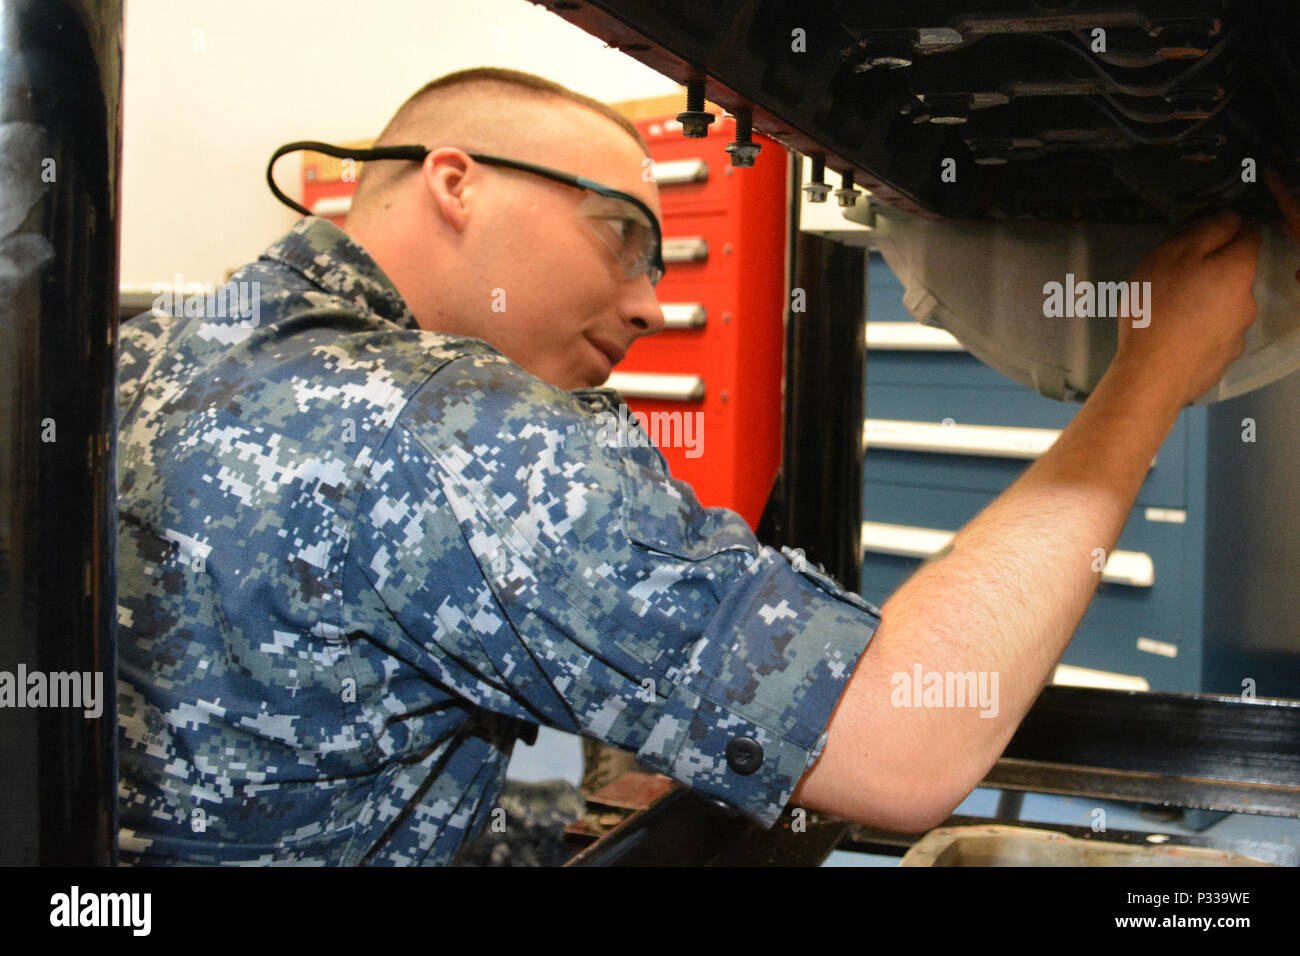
[(1042, 123)]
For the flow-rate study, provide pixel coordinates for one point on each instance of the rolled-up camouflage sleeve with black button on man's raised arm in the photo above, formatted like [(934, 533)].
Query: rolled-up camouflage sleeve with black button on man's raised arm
[(556, 572)]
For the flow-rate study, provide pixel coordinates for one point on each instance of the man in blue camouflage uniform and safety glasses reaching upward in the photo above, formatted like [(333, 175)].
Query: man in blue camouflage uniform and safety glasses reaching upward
[(367, 538)]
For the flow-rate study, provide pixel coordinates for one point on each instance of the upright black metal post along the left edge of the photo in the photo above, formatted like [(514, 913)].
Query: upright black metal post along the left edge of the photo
[(60, 124)]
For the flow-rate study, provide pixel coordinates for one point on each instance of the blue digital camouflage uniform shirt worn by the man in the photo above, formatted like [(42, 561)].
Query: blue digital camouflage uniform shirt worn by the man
[(354, 556)]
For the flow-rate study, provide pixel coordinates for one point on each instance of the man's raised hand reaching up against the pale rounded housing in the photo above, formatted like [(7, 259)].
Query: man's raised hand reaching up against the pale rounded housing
[(1201, 306)]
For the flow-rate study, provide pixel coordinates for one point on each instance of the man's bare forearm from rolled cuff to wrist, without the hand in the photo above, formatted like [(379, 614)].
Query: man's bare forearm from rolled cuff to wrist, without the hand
[(1003, 604)]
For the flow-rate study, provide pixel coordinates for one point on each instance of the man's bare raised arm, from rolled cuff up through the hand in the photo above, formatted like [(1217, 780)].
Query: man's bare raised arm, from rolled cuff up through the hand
[(1015, 585)]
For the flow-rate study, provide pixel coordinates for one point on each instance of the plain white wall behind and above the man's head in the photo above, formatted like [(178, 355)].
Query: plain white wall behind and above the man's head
[(213, 88)]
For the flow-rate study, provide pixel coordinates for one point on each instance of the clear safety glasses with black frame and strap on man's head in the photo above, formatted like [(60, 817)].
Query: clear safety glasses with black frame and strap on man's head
[(619, 219)]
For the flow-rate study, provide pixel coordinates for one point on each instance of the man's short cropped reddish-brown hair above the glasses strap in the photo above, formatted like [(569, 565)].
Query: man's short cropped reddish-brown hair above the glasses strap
[(452, 110)]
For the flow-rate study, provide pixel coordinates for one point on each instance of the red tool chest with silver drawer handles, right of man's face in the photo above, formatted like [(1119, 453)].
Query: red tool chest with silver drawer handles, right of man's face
[(725, 297)]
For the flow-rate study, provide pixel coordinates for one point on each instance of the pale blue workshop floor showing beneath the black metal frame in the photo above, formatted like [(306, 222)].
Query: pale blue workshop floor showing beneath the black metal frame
[(560, 756)]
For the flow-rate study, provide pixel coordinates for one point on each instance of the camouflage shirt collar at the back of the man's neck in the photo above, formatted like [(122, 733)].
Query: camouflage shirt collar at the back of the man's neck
[(335, 262)]
